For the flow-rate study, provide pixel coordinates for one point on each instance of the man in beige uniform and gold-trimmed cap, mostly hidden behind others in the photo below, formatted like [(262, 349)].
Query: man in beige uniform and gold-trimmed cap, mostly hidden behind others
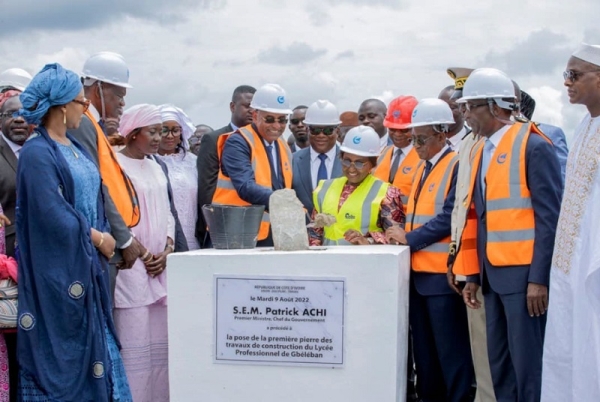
[(462, 259)]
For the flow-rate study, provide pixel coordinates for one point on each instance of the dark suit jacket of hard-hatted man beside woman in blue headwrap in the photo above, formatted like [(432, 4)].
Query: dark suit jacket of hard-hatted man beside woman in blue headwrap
[(88, 138)]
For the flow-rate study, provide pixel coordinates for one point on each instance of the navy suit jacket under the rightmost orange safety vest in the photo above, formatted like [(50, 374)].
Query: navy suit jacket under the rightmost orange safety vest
[(544, 180)]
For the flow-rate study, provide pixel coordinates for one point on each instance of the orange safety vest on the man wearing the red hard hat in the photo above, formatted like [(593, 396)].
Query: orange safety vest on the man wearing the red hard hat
[(405, 174)]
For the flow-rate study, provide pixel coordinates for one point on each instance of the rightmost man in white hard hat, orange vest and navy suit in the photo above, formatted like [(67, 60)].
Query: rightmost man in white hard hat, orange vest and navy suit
[(516, 189)]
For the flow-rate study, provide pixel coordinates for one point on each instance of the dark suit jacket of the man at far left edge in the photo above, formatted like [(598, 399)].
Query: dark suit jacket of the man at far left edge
[(8, 192)]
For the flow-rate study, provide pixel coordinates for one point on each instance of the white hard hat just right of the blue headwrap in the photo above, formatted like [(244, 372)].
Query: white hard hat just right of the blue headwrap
[(107, 67)]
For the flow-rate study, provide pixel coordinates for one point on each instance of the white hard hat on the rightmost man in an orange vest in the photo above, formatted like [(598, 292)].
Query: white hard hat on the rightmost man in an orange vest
[(489, 83)]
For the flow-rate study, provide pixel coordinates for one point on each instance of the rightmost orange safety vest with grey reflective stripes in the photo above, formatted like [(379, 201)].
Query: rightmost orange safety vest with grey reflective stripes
[(510, 222)]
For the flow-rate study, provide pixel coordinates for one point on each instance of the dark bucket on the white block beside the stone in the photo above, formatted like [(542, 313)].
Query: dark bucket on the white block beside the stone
[(233, 227)]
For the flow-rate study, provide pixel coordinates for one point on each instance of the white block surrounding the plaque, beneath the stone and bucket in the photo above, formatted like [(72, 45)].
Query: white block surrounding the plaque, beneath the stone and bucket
[(375, 333)]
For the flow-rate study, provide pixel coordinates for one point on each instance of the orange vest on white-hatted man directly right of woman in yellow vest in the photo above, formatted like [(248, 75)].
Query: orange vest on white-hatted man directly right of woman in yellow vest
[(430, 203)]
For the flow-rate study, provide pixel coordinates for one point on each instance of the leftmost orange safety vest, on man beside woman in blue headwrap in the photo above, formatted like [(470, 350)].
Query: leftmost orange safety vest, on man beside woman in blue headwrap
[(119, 185)]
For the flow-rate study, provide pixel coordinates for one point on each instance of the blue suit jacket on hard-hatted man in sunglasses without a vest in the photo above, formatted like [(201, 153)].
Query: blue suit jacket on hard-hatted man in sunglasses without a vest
[(302, 178)]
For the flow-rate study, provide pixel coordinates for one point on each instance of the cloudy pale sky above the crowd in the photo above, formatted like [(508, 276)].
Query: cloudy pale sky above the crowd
[(193, 53)]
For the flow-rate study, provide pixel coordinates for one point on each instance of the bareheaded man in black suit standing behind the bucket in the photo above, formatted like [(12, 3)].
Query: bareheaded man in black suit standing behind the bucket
[(207, 163)]
